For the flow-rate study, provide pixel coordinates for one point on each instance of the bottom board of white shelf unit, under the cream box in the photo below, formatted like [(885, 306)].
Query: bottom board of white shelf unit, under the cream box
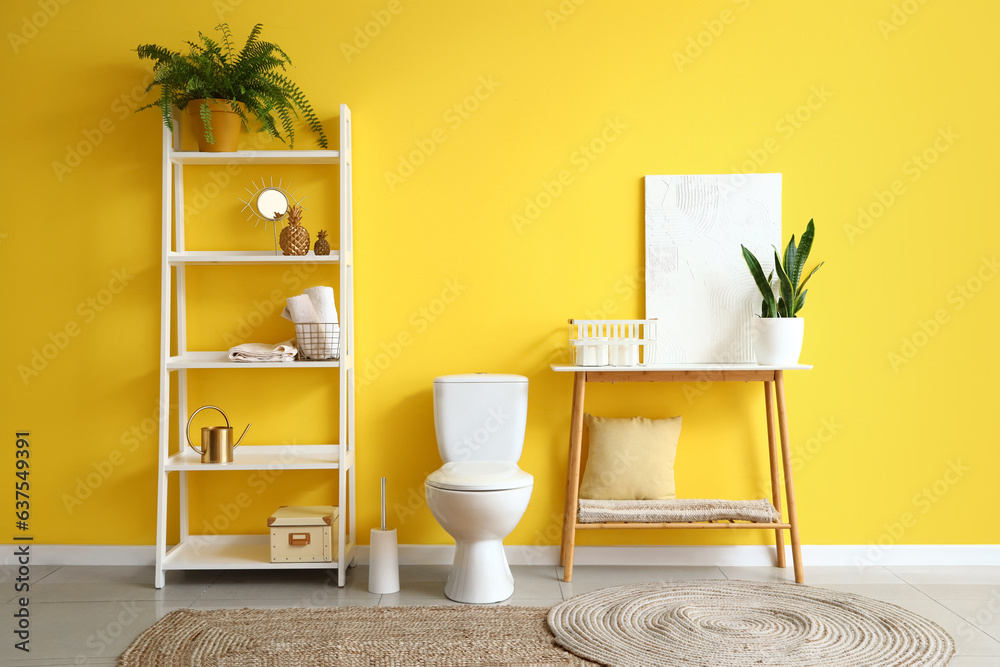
[(236, 552)]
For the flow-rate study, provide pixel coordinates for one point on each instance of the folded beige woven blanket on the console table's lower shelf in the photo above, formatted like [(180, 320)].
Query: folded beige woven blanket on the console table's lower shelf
[(676, 511)]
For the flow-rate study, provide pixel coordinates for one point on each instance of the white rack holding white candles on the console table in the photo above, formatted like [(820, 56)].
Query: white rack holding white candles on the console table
[(612, 342)]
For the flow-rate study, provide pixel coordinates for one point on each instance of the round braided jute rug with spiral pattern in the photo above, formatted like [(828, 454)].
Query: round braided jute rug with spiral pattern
[(736, 623)]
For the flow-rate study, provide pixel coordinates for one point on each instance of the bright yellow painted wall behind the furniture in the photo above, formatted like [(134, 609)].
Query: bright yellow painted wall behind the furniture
[(842, 98)]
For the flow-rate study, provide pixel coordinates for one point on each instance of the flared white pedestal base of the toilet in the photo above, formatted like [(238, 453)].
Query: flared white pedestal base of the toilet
[(480, 573)]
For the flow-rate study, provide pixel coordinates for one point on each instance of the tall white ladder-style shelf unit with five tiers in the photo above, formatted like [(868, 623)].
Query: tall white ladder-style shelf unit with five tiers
[(199, 552)]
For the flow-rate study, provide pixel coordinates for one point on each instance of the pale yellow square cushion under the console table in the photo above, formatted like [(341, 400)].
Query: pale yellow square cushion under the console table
[(630, 459)]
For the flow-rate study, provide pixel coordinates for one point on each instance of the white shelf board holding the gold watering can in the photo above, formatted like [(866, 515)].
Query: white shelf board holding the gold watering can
[(262, 457)]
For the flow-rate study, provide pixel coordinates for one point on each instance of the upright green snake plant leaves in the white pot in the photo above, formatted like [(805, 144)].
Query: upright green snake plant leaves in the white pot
[(791, 293)]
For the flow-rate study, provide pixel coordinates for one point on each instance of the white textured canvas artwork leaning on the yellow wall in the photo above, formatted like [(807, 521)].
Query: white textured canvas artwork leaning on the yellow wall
[(698, 286)]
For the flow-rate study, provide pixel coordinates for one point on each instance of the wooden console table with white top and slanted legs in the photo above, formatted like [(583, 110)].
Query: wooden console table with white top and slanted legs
[(774, 384)]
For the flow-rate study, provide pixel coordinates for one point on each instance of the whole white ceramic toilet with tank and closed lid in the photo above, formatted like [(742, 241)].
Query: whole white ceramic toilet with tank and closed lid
[(479, 494)]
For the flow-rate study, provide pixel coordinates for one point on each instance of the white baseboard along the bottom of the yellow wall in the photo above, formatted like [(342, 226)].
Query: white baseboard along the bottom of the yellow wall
[(956, 555)]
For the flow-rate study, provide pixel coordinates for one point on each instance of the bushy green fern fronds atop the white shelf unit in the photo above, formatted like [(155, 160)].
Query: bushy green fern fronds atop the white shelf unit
[(215, 69)]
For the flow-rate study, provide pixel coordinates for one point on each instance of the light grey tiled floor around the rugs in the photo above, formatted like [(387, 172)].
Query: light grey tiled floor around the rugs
[(89, 615)]
